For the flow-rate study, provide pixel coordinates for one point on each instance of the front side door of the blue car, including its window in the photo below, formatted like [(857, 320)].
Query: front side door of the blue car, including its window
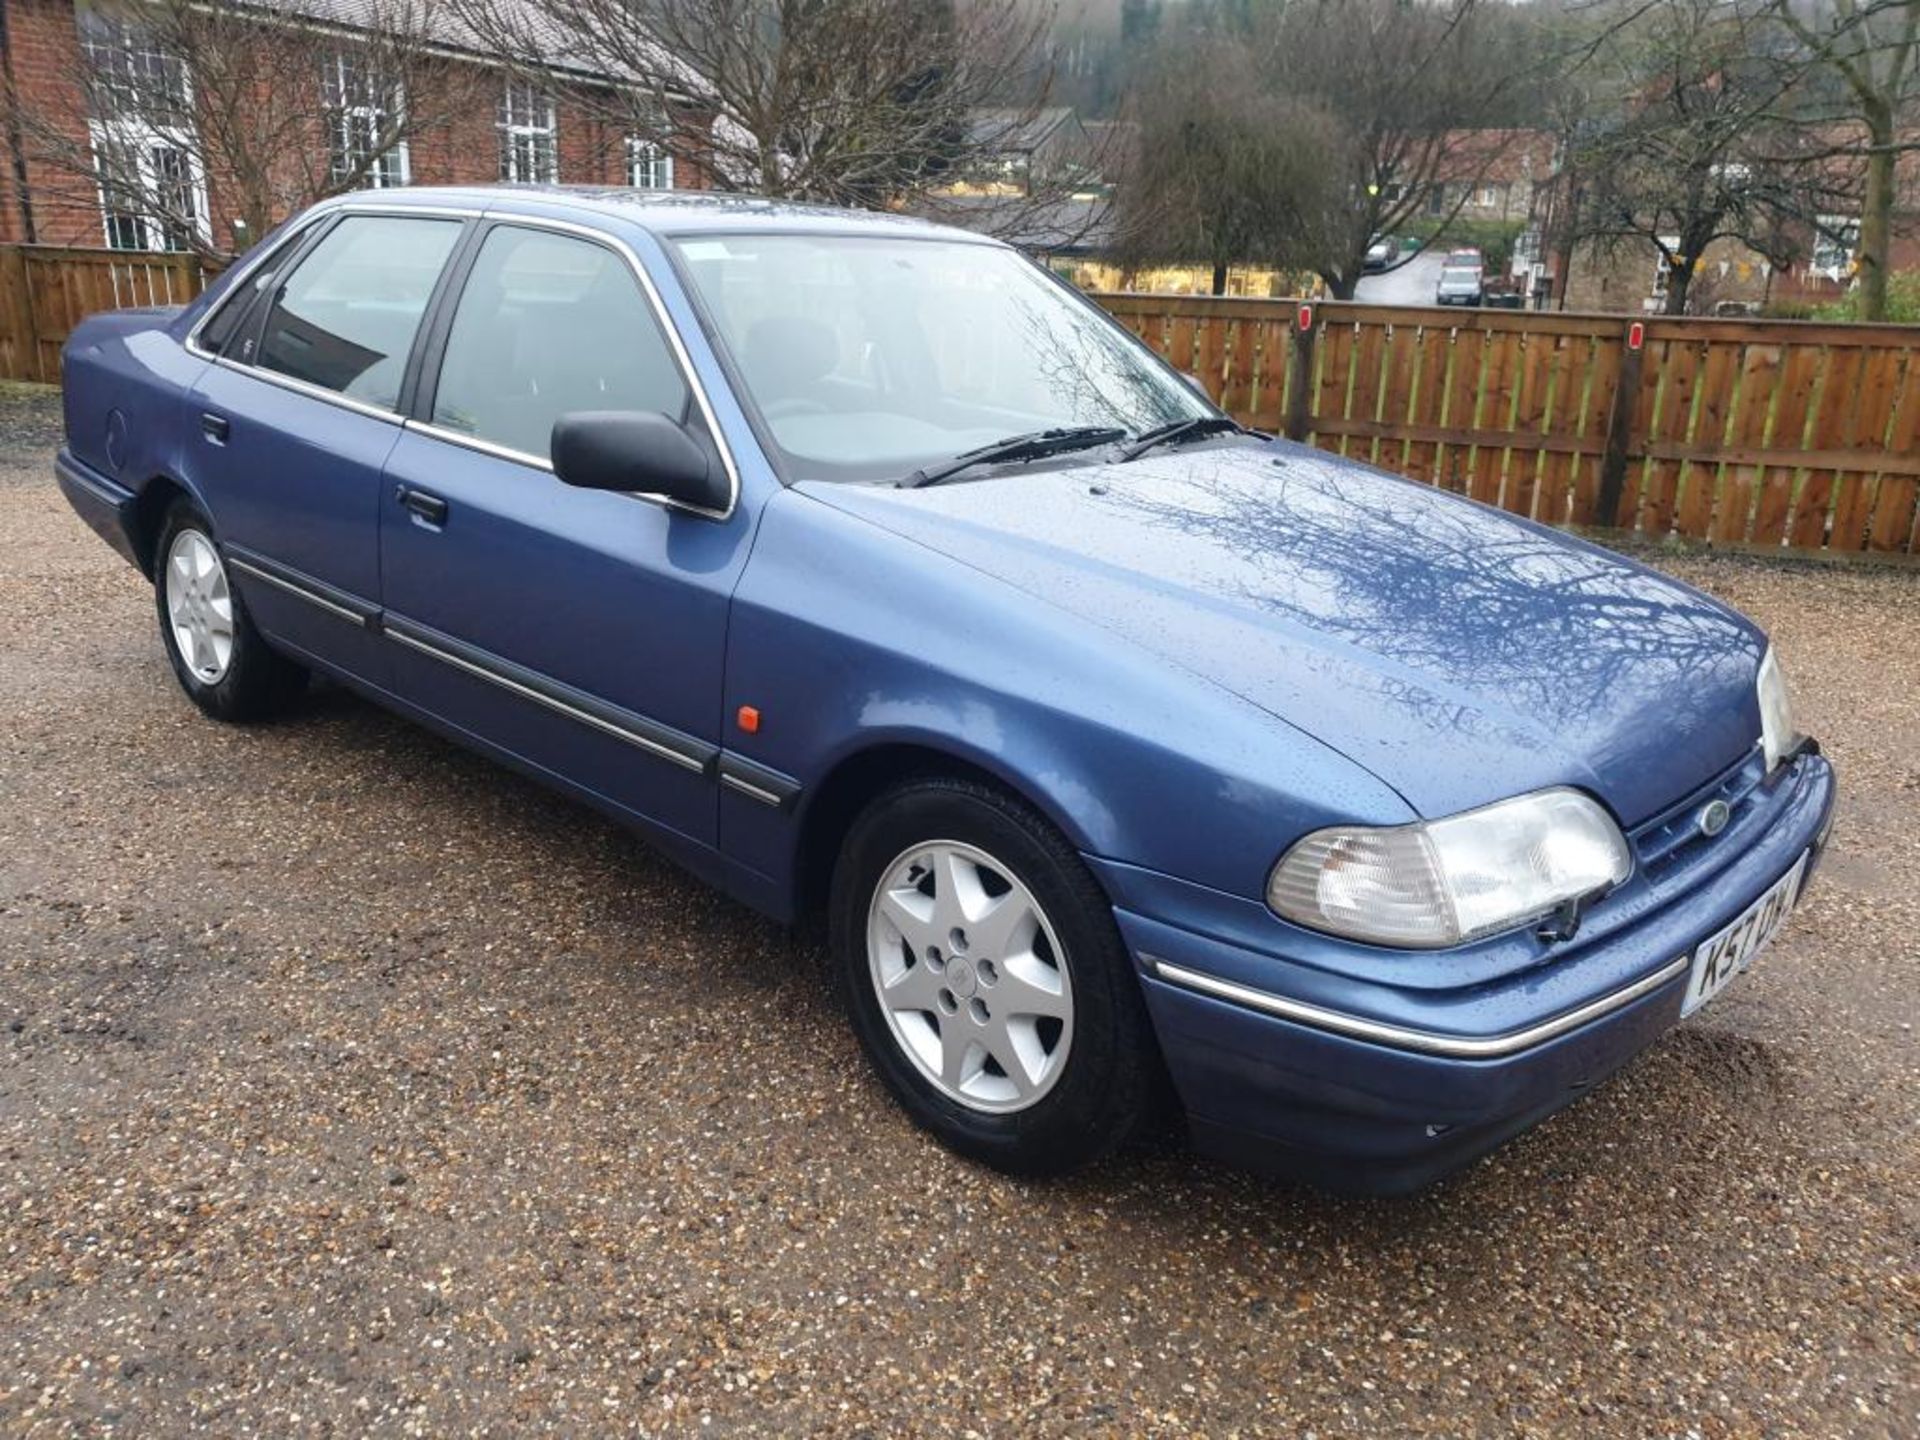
[(581, 633)]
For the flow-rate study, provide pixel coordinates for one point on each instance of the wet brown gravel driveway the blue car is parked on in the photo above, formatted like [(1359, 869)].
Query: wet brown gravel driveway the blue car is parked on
[(354, 1086)]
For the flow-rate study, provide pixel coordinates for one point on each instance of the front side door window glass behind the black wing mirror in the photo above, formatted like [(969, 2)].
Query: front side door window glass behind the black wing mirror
[(550, 324)]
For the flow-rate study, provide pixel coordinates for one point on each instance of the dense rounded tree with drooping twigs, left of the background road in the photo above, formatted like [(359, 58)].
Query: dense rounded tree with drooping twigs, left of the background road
[(1226, 172)]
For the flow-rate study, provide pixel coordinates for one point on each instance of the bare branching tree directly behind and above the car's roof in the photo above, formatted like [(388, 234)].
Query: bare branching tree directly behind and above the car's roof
[(857, 103)]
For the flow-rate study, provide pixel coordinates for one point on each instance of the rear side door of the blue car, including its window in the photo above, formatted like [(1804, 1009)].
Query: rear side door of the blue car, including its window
[(289, 431)]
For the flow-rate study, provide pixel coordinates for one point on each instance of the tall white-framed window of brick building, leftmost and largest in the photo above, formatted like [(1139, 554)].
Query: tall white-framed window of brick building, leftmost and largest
[(141, 126)]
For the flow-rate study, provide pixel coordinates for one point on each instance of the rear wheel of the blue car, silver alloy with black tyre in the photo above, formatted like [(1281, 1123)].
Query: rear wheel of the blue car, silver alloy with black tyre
[(222, 661)]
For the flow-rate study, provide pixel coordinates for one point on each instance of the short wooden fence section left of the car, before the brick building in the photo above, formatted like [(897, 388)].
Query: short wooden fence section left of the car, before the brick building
[(45, 291)]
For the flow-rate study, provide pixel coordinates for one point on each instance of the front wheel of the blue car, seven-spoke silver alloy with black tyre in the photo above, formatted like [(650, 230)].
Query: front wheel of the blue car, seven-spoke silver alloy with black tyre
[(988, 982)]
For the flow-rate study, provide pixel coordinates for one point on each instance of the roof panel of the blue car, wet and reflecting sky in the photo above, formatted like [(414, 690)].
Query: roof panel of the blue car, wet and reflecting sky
[(669, 212)]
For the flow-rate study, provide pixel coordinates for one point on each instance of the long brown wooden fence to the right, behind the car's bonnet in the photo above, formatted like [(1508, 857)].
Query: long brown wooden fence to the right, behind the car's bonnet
[(1742, 433)]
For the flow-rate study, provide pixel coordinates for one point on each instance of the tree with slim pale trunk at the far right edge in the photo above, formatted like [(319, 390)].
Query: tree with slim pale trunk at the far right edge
[(1873, 49)]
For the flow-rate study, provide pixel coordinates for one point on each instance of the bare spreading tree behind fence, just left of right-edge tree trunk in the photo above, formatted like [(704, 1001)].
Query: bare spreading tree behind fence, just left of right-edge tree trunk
[(1687, 145)]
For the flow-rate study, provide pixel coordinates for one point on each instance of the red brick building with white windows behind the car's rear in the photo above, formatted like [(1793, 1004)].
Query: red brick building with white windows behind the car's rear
[(502, 130)]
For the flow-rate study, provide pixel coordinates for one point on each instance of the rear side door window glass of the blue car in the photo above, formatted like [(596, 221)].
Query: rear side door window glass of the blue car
[(347, 318)]
